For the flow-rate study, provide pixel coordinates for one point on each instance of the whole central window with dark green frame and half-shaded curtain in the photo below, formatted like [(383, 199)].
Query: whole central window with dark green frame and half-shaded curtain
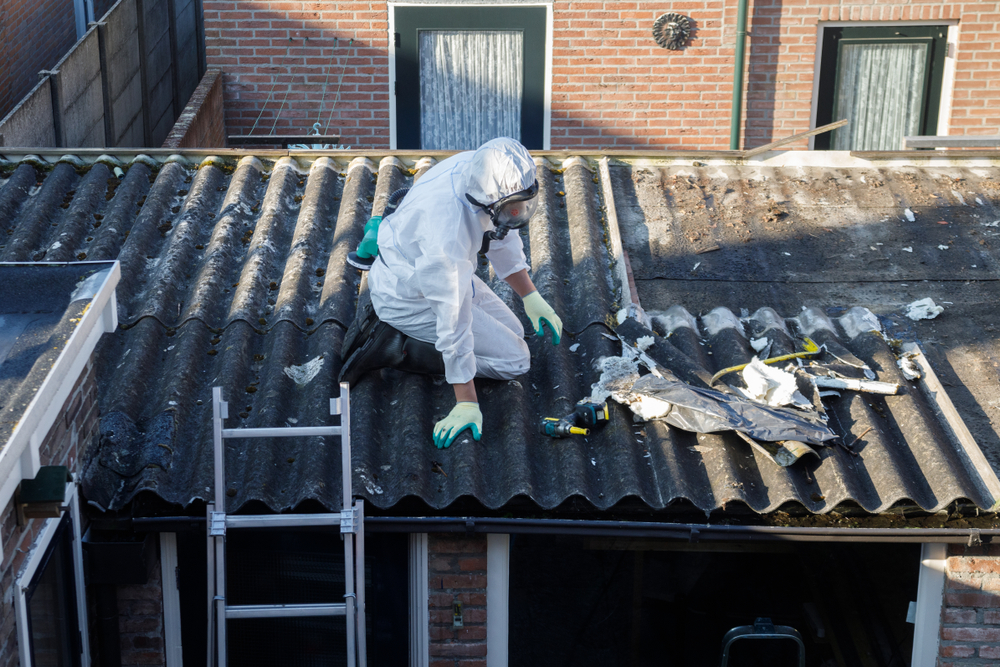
[(465, 74)]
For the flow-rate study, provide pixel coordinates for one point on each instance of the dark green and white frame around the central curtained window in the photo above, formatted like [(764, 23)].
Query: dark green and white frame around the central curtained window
[(404, 83)]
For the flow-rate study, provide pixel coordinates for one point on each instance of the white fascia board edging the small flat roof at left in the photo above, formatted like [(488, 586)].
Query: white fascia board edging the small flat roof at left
[(19, 458)]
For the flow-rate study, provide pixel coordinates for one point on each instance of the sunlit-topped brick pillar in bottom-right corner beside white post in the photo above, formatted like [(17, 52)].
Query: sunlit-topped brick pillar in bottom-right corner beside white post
[(970, 619)]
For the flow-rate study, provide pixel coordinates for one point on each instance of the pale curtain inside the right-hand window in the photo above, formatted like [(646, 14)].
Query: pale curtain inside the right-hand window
[(880, 92)]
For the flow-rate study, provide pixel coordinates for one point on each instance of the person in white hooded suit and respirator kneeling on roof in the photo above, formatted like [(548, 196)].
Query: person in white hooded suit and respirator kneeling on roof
[(432, 314)]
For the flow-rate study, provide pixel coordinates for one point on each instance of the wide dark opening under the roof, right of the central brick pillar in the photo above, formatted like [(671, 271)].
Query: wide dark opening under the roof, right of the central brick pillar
[(601, 601)]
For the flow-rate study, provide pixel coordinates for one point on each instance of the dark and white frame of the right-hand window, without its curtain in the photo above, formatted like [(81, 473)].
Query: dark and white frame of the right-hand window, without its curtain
[(937, 88)]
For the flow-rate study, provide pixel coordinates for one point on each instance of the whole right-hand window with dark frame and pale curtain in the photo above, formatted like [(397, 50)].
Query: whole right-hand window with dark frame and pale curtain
[(885, 81)]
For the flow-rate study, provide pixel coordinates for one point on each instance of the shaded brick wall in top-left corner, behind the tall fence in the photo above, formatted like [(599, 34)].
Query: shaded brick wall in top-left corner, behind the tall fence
[(34, 35)]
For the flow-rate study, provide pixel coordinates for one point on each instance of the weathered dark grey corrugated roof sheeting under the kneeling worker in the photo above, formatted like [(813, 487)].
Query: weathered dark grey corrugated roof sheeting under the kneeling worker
[(232, 274)]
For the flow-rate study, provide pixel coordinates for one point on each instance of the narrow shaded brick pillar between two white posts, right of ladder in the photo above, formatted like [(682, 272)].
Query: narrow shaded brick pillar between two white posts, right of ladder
[(457, 571)]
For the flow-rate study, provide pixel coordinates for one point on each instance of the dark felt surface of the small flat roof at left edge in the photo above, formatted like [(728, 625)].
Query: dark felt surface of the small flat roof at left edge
[(40, 307)]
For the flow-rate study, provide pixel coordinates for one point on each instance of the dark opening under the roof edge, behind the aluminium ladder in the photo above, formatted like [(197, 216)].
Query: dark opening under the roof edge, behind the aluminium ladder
[(297, 567)]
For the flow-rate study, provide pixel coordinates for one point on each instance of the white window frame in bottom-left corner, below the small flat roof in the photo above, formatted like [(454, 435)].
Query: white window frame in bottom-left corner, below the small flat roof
[(35, 562)]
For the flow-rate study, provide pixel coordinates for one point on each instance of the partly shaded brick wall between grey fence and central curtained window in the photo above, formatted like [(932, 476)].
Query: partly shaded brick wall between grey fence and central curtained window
[(293, 63)]
